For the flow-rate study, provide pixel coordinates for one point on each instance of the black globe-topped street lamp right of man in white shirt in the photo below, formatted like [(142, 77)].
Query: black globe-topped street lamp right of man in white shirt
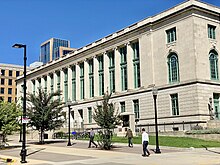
[(155, 92)]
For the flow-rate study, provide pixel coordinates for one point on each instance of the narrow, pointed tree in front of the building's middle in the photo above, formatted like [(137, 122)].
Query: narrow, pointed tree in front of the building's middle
[(107, 118)]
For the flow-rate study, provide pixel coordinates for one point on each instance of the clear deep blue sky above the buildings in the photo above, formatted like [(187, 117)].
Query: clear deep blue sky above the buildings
[(31, 22)]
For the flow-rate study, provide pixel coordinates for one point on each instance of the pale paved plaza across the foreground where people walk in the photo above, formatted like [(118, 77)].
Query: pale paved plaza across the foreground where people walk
[(58, 153)]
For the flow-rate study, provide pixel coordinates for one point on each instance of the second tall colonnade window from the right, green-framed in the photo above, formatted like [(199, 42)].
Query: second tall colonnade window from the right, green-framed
[(123, 53)]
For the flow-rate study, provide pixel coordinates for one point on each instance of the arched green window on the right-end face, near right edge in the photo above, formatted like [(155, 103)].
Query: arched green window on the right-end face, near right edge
[(213, 59)]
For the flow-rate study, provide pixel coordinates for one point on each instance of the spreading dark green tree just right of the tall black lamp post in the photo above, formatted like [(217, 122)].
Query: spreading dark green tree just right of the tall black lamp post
[(44, 111)]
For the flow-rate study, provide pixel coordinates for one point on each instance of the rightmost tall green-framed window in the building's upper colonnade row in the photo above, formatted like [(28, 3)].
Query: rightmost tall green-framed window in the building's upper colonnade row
[(136, 64)]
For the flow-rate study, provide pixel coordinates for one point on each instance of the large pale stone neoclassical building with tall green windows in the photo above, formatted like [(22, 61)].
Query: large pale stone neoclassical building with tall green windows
[(176, 51)]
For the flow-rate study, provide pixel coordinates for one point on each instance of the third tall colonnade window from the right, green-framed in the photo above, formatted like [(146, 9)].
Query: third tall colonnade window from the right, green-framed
[(111, 56)]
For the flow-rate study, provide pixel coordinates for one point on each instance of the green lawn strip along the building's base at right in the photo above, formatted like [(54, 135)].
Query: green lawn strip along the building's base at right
[(182, 142)]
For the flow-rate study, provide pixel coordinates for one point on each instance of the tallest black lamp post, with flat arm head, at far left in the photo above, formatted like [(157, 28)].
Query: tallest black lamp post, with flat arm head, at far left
[(23, 150)]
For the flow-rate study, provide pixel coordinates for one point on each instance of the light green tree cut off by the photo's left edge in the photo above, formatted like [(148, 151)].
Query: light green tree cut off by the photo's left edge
[(9, 114)]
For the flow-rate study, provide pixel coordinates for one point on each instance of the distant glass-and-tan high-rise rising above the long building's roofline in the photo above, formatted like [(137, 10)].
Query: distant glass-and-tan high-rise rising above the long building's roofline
[(54, 48)]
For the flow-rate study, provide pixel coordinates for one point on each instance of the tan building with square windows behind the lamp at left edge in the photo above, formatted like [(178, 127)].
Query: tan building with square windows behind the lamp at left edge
[(8, 76)]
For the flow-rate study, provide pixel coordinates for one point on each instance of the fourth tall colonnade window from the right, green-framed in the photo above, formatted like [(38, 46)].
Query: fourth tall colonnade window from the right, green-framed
[(101, 75)]
